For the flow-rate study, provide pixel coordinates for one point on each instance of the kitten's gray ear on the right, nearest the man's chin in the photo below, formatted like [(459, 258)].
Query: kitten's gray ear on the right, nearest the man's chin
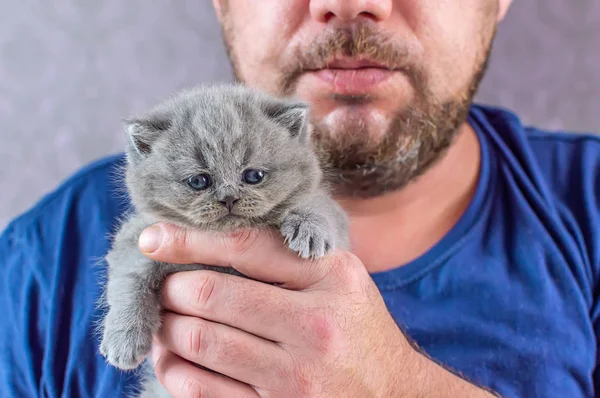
[(291, 115)]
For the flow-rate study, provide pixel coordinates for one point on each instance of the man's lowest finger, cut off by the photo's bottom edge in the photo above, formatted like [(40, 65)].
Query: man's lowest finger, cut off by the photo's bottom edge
[(182, 379)]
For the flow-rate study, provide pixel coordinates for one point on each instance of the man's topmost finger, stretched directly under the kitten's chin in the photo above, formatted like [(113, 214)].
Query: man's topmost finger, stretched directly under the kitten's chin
[(257, 253)]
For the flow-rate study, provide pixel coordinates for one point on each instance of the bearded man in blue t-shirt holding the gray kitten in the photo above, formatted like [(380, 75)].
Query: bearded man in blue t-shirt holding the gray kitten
[(475, 240)]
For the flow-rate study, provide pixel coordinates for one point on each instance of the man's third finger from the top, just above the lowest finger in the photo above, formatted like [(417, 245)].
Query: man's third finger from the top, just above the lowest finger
[(229, 351)]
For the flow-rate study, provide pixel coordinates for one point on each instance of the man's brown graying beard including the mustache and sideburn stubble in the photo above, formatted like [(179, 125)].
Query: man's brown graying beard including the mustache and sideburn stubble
[(356, 162)]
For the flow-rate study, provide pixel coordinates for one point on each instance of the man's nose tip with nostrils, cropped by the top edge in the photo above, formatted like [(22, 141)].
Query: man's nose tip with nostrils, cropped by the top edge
[(348, 10)]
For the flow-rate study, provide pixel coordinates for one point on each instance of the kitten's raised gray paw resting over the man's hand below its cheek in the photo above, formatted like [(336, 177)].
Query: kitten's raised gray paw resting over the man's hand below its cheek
[(308, 236)]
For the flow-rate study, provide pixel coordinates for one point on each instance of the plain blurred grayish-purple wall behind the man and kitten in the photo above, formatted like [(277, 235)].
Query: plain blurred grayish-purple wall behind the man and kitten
[(71, 69)]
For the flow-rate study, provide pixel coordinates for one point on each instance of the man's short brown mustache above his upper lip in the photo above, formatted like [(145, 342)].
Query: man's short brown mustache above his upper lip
[(361, 41)]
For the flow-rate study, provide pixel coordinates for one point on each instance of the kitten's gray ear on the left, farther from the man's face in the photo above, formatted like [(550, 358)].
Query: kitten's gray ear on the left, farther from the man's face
[(143, 132)]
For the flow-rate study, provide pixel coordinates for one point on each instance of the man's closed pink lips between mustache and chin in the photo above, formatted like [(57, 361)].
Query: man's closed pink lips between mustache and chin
[(347, 76)]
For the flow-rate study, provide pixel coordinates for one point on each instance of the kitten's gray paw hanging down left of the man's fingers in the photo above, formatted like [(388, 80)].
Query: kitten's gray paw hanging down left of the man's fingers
[(126, 348)]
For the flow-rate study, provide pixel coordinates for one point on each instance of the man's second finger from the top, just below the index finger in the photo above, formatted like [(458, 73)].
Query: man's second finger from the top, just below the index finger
[(228, 299)]
